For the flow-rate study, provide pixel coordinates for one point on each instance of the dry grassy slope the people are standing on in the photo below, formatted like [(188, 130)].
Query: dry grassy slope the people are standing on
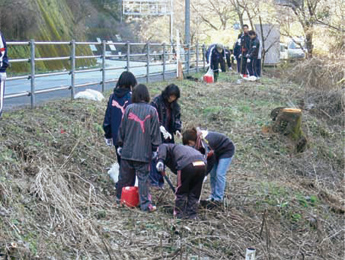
[(57, 200)]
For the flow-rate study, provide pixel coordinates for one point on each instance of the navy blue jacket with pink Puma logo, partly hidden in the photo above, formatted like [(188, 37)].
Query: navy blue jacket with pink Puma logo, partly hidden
[(118, 101)]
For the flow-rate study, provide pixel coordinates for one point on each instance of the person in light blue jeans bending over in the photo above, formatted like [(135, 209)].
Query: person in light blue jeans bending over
[(224, 150)]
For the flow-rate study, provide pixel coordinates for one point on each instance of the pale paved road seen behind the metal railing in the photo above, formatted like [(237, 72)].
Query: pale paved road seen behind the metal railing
[(19, 86)]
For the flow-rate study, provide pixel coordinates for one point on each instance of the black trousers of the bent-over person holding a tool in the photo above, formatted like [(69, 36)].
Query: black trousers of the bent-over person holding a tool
[(189, 184)]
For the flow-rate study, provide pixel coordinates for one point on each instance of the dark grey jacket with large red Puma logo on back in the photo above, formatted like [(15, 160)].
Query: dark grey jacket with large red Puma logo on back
[(139, 133)]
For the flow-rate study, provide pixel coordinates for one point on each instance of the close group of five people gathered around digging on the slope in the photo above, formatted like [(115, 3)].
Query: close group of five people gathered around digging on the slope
[(144, 133)]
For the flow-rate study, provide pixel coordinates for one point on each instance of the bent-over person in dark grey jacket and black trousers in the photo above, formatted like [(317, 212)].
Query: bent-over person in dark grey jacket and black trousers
[(190, 167)]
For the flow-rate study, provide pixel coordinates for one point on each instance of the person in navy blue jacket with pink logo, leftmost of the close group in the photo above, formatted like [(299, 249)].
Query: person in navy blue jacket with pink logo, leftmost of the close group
[(118, 101)]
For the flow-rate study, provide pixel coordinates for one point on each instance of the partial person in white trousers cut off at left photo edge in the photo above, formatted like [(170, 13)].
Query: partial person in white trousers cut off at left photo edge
[(3, 66)]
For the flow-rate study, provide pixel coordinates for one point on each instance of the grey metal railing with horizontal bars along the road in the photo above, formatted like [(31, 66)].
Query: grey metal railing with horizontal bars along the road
[(190, 51)]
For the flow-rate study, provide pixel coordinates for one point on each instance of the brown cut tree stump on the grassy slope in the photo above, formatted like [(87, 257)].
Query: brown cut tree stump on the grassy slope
[(288, 121)]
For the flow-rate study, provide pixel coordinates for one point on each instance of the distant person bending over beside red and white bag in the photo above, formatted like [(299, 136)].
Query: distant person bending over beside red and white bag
[(215, 55)]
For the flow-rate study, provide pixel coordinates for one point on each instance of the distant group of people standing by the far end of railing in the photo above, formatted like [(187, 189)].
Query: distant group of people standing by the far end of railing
[(247, 53)]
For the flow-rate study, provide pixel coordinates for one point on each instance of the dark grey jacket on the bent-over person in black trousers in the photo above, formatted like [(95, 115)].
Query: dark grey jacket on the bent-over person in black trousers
[(178, 156)]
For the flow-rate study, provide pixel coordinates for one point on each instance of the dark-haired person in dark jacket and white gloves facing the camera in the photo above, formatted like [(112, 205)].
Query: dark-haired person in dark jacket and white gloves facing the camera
[(170, 123)]
